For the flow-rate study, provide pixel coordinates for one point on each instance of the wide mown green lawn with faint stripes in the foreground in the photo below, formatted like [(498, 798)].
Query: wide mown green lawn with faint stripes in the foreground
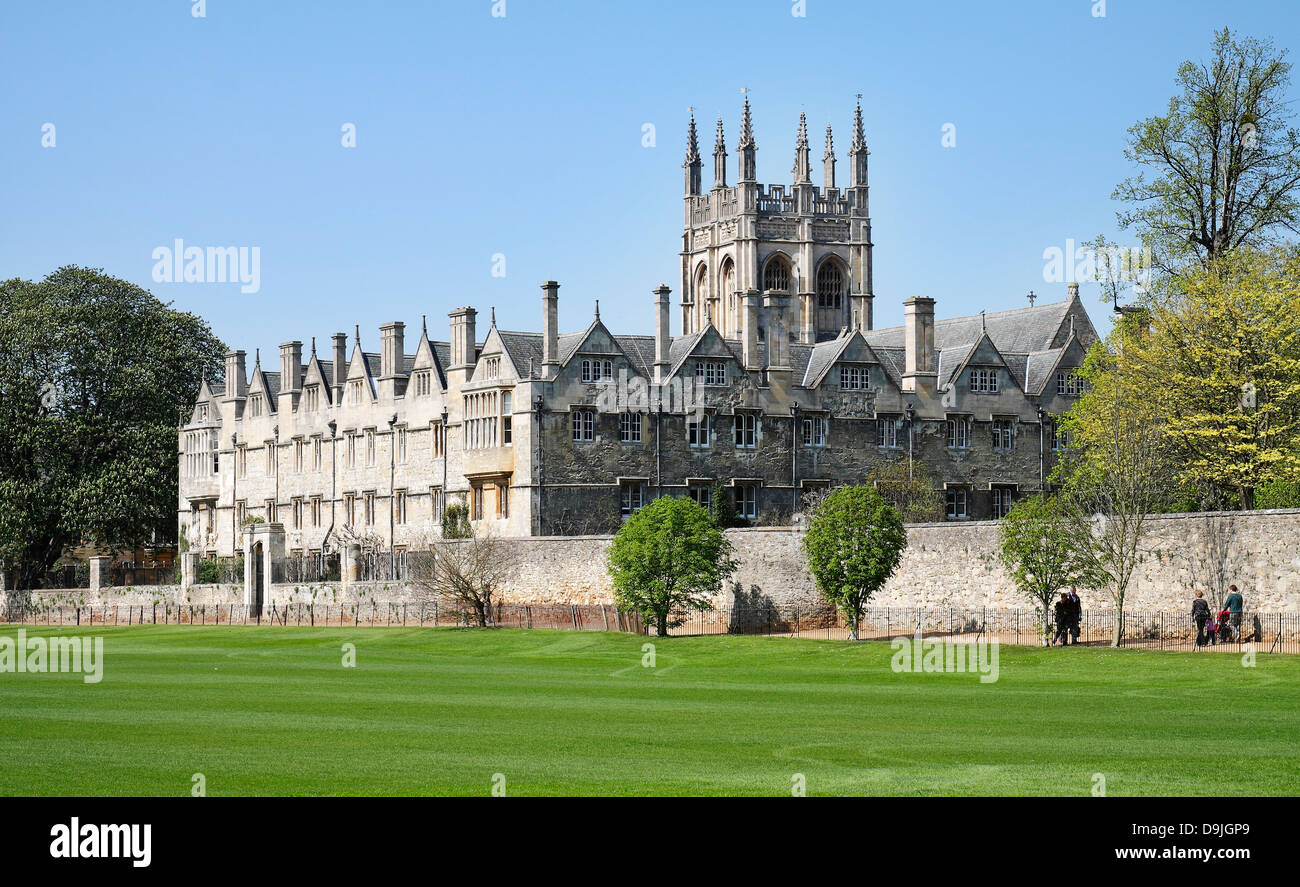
[(440, 712)]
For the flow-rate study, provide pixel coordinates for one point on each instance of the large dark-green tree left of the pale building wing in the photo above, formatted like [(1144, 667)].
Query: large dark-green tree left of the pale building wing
[(94, 375)]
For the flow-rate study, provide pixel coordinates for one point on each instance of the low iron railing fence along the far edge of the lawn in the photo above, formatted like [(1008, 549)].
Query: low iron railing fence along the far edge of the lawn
[(1264, 633)]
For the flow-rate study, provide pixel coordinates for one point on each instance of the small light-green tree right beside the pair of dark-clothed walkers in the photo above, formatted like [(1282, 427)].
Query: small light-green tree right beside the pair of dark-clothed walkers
[(1037, 547)]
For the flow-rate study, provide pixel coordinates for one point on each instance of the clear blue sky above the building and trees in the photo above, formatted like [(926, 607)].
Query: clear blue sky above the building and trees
[(523, 136)]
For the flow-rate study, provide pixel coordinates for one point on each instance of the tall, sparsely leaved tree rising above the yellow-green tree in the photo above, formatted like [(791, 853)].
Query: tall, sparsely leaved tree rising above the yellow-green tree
[(1221, 168)]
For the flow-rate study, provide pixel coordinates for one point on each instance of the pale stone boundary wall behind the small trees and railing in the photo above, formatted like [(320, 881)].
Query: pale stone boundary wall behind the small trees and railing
[(950, 565)]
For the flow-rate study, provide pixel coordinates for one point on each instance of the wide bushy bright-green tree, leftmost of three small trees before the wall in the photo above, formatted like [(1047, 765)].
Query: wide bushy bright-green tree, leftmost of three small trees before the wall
[(669, 557)]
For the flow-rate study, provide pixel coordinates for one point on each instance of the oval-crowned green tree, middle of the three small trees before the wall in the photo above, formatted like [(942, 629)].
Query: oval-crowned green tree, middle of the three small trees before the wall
[(853, 544)]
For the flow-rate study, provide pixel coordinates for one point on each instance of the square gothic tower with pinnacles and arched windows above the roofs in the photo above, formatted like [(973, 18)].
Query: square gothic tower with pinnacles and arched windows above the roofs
[(809, 244)]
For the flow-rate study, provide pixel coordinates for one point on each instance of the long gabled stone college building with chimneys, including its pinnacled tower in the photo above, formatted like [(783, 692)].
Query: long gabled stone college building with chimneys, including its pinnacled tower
[(778, 386)]
